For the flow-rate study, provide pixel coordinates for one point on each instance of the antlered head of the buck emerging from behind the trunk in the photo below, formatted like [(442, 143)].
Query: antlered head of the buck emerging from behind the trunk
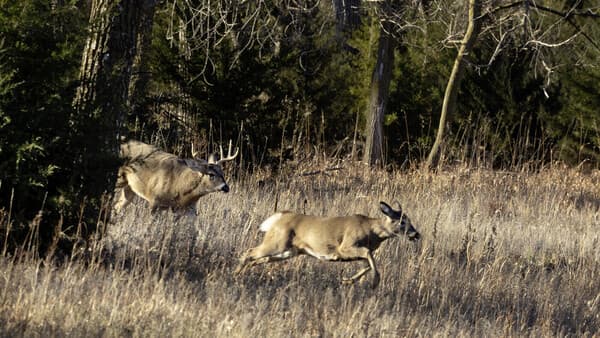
[(212, 170)]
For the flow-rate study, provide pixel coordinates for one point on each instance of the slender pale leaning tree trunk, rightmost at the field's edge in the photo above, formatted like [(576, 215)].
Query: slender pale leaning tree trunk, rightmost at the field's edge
[(449, 103)]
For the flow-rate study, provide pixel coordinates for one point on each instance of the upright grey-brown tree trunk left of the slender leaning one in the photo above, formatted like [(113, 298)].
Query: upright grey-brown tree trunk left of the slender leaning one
[(380, 85)]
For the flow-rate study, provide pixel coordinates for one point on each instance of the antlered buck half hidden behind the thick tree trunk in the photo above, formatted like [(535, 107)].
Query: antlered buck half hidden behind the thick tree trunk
[(165, 180)]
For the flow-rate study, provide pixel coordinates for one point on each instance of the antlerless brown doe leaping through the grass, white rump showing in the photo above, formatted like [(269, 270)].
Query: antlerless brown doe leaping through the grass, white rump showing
[(345, 238)]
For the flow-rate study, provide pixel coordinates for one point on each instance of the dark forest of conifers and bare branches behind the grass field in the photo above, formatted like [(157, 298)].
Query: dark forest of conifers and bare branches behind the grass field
[(287, 81)]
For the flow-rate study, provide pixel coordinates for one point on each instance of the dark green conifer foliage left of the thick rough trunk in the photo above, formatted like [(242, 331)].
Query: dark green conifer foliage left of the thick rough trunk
[(40, 47)]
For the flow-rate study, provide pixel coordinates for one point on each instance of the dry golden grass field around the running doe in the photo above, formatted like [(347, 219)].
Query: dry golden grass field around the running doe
[(501, 254)]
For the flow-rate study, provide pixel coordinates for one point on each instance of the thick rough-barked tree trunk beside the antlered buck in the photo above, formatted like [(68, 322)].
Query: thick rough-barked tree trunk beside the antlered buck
[(108, 87)]
